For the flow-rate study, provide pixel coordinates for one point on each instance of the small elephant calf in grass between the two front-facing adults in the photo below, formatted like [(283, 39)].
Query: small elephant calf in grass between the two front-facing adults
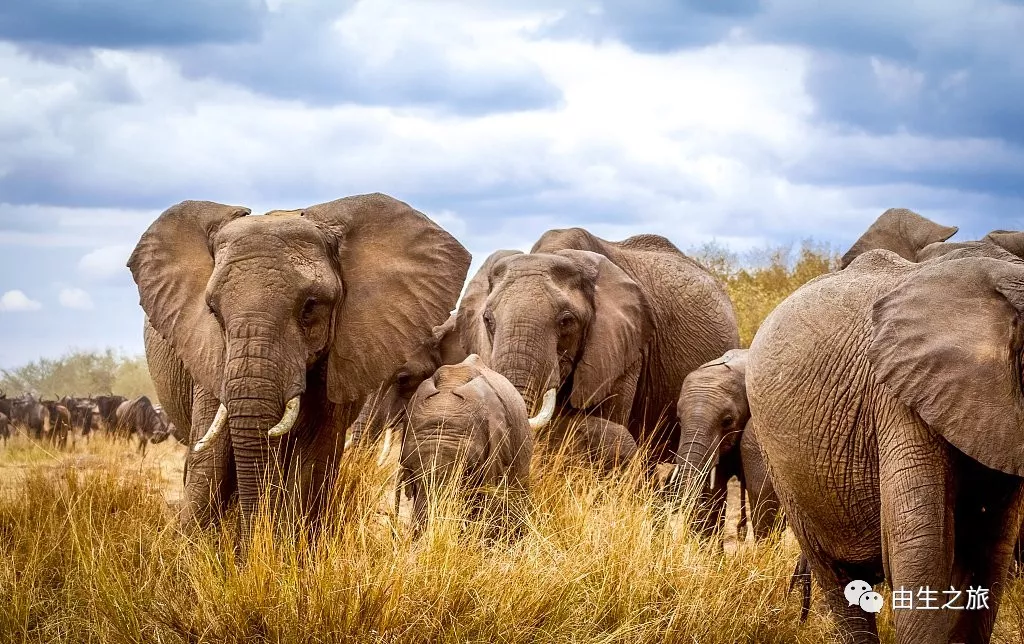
[(468, 424)]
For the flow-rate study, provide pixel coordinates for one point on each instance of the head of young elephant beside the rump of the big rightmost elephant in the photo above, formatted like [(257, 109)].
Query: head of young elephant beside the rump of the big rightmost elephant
[(713, 412)]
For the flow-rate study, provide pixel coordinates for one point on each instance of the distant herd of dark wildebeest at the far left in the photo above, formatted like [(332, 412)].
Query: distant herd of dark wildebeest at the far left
[(53, 421)]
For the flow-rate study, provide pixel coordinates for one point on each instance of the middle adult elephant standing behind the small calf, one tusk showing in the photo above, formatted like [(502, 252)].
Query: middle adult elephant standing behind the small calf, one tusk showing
[(613, 327)]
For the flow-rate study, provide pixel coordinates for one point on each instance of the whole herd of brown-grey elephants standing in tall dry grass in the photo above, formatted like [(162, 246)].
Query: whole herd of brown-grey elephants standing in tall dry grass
[(878, 409)]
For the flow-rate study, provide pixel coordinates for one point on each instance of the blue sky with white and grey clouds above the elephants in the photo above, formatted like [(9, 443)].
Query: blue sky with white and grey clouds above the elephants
[(744, 122)]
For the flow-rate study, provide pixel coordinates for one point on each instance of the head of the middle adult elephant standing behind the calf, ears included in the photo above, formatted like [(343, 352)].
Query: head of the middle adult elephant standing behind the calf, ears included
[(569, 318)]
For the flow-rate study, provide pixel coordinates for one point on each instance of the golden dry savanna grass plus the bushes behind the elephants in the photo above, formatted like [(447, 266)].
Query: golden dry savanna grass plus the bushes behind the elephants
[(93, 552)]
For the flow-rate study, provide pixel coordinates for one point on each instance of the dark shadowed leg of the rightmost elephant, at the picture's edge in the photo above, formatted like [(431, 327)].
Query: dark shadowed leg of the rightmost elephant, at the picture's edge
[(989, 514)]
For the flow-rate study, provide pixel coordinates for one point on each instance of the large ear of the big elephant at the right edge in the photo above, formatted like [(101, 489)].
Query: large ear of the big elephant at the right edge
[(948, 342)]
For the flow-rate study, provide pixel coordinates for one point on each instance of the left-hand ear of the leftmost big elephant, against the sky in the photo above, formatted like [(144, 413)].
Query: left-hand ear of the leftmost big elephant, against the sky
[(173, 265)]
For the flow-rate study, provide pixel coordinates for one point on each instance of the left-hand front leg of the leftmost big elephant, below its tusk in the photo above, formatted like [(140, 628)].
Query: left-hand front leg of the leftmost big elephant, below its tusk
[(209, 477)]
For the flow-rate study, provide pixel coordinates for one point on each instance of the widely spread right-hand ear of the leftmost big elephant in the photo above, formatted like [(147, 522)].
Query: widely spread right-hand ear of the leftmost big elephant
[(402, 274)]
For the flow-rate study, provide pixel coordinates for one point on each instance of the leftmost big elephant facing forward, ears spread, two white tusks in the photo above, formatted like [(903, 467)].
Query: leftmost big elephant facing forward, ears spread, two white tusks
[(265, 335)]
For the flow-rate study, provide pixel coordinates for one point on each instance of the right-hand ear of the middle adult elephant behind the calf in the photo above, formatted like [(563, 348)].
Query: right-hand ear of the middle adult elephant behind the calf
[(618, 334)]
